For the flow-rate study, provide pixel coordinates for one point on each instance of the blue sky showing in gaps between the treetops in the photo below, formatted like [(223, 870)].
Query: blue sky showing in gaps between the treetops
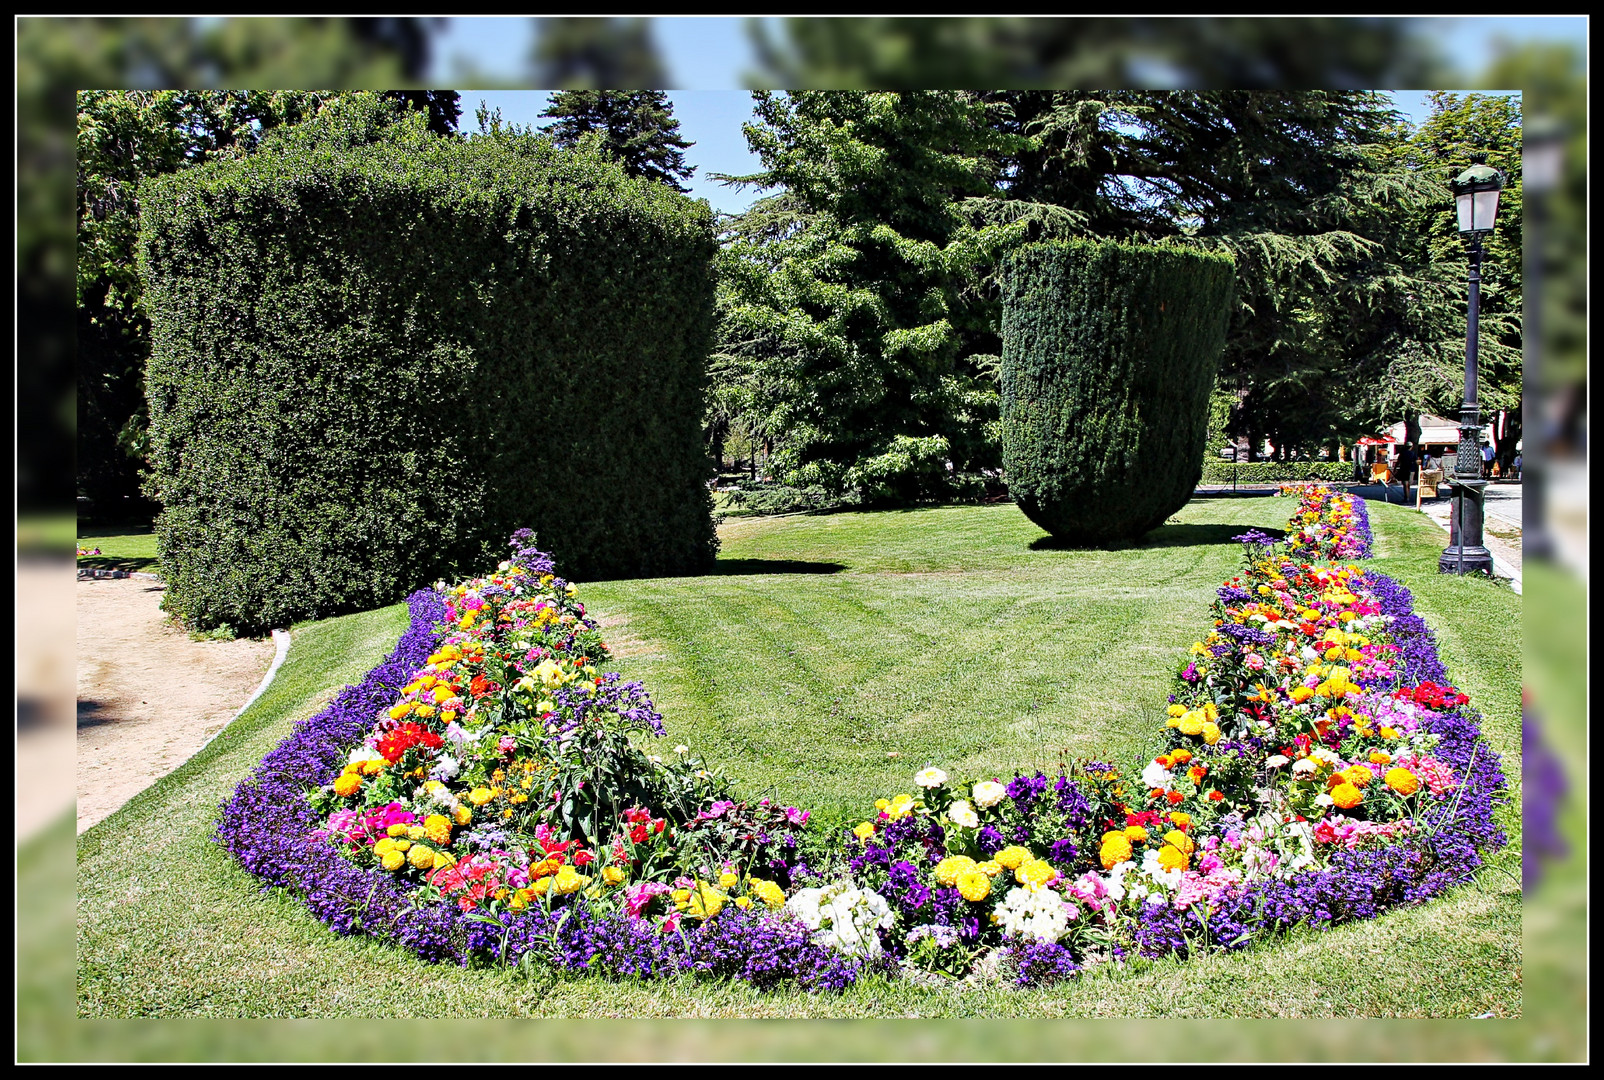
[(711, 55)]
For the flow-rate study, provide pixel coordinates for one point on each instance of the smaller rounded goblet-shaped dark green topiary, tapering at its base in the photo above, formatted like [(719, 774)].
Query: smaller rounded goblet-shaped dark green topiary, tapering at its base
[(1109, 355)]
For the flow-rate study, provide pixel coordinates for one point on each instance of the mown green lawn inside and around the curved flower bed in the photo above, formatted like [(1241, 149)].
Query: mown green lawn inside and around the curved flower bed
[(832, 659)]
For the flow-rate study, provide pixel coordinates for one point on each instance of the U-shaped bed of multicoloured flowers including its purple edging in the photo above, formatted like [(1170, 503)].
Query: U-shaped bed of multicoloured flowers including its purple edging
[(490, 795)]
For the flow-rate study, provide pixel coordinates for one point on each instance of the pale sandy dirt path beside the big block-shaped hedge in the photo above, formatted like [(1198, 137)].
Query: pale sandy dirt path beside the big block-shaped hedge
[(148, 696)]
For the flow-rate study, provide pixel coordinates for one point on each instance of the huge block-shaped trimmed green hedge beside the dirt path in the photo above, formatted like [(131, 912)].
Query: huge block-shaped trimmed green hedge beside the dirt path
[(378, 354)]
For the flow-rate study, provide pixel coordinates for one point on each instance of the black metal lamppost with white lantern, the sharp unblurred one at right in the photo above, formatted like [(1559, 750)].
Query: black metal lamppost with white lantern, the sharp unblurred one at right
[(1476, 193)]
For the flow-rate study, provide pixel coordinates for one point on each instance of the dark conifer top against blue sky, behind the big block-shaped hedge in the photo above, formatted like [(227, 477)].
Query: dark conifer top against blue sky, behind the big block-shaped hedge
[(638, 131)]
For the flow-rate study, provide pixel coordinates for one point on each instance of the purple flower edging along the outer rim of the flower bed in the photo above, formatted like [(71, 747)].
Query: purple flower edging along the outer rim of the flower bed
[(267, 824)]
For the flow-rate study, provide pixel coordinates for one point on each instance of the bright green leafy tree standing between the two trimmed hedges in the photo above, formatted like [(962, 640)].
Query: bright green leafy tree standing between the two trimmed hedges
[(851, 320)]
